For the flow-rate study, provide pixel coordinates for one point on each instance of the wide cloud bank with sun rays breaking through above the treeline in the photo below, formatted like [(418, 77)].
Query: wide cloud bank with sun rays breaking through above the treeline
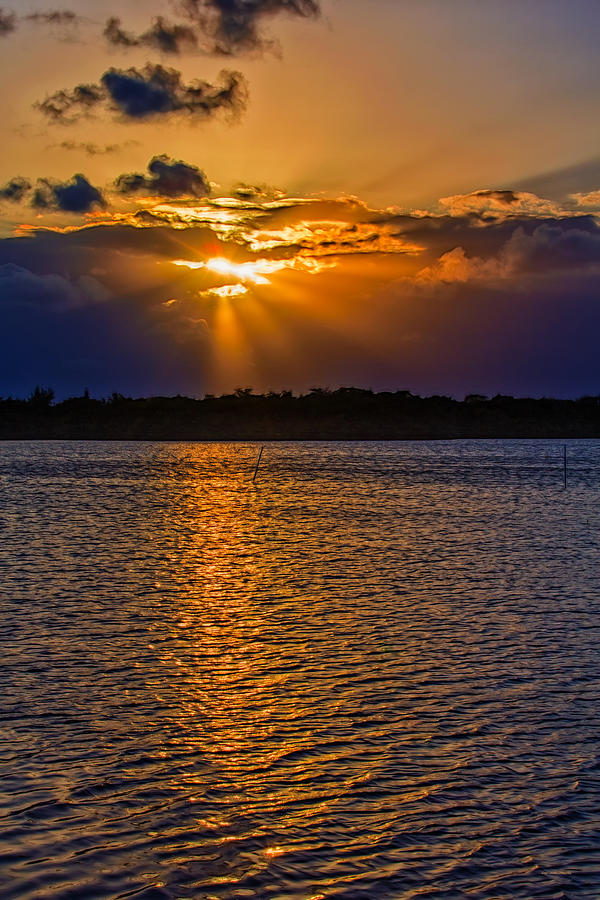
[(275, 291)]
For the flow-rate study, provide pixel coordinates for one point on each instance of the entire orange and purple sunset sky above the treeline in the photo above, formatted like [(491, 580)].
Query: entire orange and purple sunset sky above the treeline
[(202, 195)]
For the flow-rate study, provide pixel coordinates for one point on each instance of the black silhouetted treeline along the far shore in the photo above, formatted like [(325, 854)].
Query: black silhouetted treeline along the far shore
[(344, 414)]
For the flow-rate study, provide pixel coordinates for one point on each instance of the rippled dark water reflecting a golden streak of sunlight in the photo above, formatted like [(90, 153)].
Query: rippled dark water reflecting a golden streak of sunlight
[(373, 674)]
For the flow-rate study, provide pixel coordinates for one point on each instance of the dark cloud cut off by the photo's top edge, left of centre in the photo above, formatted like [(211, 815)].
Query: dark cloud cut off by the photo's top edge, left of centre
[(235, 25)]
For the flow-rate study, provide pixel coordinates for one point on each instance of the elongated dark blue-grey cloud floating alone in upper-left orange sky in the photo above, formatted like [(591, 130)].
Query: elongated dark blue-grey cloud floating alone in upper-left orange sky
[(141, 94)]
